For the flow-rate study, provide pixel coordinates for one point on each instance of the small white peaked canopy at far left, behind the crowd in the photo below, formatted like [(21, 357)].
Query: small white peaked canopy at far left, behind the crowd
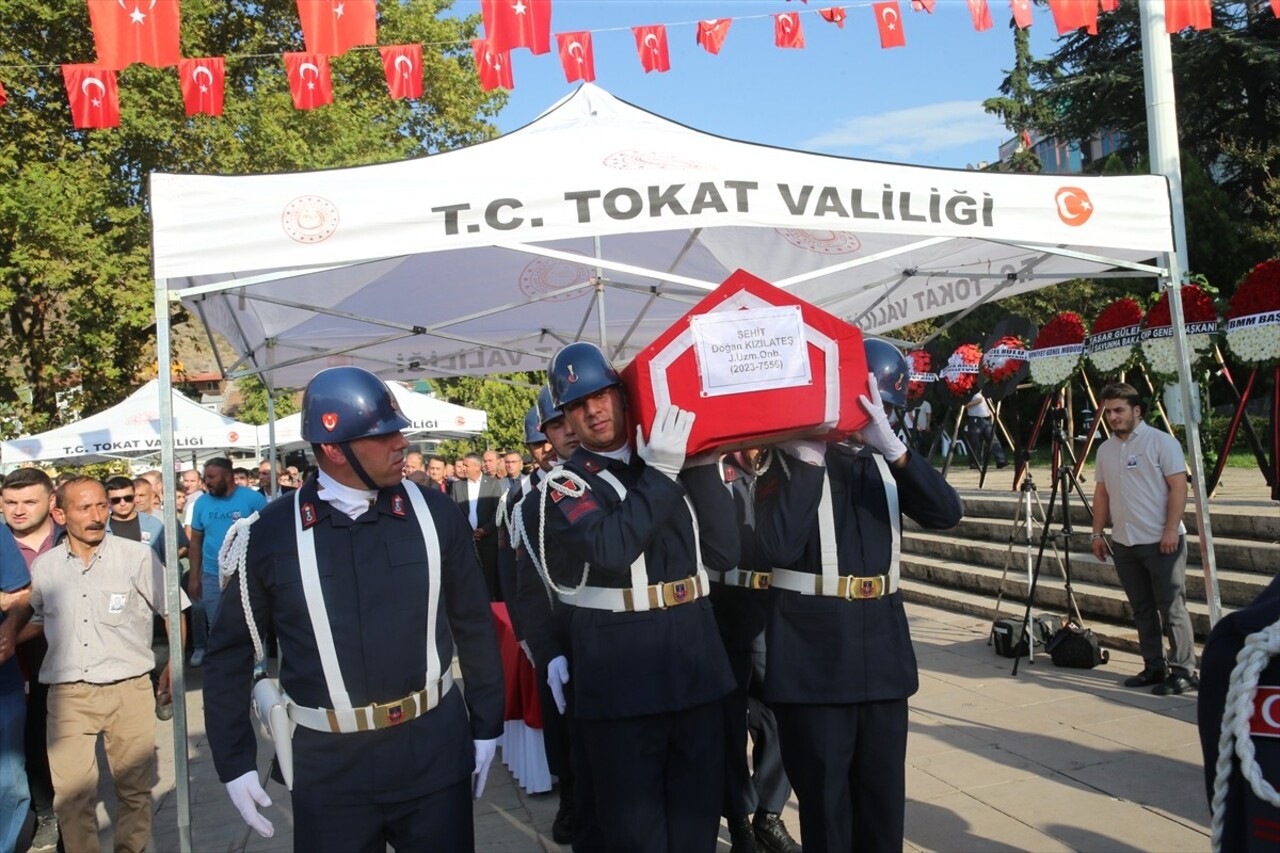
[(132, 428)]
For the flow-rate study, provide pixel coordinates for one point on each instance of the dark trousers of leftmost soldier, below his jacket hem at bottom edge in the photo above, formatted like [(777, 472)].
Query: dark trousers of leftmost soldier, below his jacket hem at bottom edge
[(440, 822)]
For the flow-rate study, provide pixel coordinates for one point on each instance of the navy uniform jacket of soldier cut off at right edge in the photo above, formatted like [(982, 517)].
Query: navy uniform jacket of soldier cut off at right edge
[(1250, 823)]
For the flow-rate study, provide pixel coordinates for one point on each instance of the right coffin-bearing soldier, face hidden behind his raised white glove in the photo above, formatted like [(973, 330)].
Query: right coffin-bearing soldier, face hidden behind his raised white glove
[(840, 660)]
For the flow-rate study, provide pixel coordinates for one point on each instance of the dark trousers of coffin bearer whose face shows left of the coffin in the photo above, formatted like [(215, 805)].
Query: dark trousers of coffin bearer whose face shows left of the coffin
[(659, 779)]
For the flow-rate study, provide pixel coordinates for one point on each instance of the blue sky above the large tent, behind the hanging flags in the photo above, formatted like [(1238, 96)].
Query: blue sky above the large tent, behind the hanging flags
[(842, 94)]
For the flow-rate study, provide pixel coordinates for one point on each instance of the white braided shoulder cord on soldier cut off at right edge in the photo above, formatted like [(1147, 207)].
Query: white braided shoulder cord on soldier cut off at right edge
[(1237, 710)]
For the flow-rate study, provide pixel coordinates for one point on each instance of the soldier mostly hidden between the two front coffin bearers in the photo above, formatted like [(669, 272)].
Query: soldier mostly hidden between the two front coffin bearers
[(742, 600)]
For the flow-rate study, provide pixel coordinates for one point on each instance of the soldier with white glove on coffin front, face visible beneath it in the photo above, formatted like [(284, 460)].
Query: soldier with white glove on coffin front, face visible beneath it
[(648, 667)]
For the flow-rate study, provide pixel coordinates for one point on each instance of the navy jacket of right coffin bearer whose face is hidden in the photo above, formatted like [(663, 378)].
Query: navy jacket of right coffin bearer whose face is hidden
[(826, 650)]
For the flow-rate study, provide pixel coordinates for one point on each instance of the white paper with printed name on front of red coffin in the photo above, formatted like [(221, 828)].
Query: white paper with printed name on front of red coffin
[(751, 350)]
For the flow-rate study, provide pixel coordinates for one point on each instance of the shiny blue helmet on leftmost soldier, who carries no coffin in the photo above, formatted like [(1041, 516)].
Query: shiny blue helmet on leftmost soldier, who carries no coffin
[(345, 404)]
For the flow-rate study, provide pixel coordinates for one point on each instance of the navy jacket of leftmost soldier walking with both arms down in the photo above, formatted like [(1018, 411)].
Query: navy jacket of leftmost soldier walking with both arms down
[(374, 576)]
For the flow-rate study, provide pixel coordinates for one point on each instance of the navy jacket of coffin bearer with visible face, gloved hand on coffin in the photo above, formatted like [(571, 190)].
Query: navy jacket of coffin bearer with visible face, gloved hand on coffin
[(637, 664)]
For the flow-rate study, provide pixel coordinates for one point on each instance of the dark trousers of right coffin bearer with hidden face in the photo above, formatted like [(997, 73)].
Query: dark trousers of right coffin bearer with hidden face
[(848, 764)]
